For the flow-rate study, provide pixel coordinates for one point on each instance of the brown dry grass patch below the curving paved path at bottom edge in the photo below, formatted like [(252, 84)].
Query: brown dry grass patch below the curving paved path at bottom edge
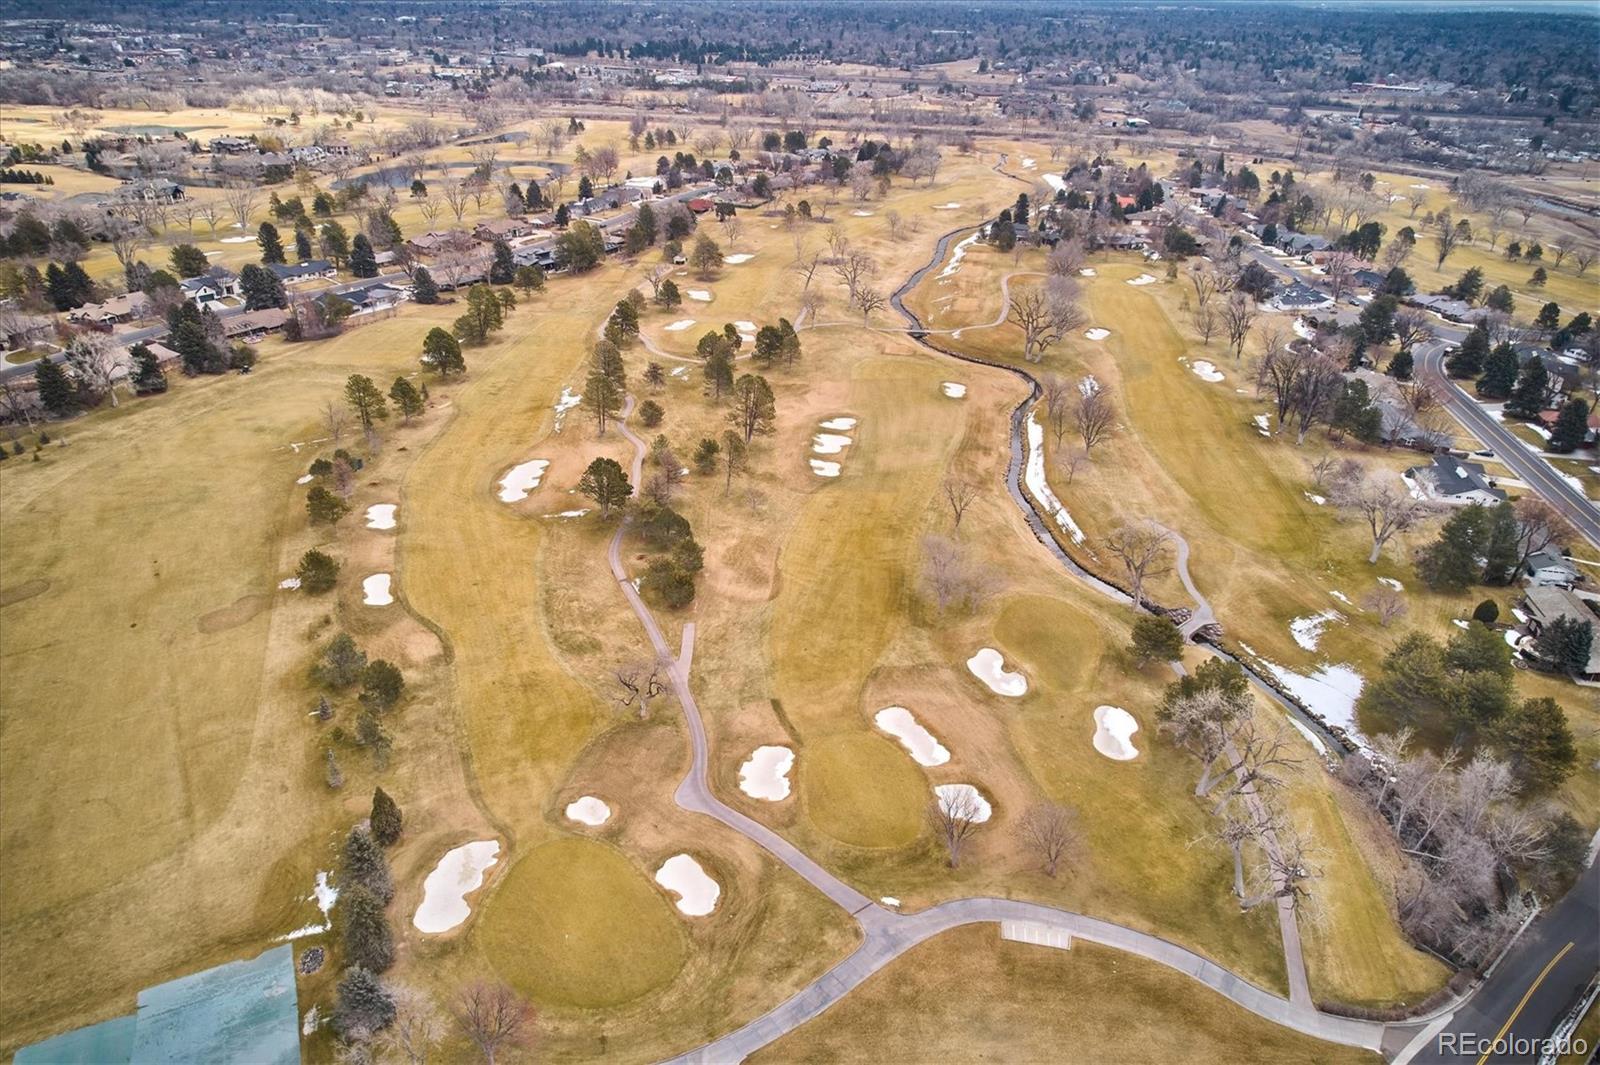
[(967, 992)]
